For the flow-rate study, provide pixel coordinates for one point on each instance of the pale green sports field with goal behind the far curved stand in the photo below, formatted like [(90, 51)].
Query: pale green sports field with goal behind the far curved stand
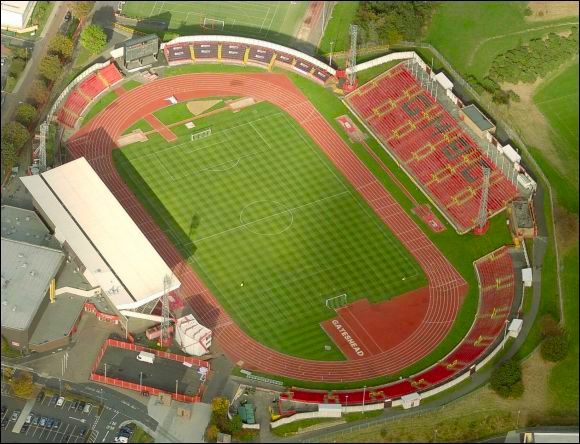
[(269, 20)]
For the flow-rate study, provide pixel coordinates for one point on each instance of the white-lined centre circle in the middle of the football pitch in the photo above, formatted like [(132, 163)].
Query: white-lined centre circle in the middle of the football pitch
[(266, 217)]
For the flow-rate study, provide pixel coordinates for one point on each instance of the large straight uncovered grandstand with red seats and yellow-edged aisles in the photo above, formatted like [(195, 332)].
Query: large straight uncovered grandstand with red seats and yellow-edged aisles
[(440, 156)]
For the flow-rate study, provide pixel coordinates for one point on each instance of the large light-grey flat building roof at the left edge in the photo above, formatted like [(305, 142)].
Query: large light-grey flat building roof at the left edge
[(26, 274)]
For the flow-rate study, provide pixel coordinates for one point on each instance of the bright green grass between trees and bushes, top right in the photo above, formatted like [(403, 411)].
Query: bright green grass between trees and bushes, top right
[(471, 34)]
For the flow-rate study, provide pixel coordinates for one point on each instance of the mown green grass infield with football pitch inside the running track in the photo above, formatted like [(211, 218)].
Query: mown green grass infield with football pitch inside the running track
[(269, 224)]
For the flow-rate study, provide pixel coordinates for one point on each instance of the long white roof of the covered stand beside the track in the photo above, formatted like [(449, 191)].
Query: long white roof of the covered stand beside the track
[(116, 254)]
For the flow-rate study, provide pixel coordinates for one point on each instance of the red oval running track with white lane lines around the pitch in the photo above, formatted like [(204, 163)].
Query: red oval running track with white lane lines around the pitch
[(447, 288)]
